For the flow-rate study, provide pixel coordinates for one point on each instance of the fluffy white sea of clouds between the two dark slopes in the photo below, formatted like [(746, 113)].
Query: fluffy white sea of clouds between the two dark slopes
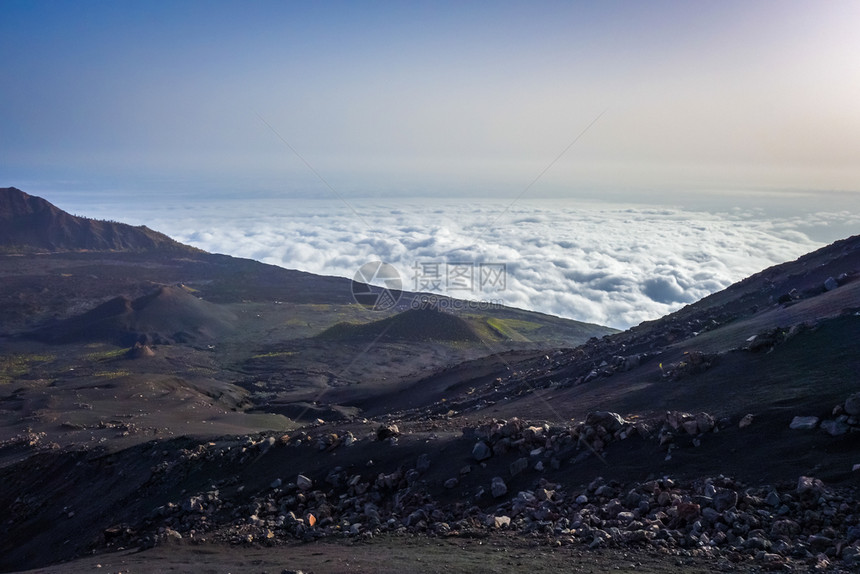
[(599, 263)]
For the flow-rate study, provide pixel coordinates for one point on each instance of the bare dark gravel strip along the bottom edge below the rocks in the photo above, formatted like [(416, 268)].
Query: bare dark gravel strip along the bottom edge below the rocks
[(394, 555)]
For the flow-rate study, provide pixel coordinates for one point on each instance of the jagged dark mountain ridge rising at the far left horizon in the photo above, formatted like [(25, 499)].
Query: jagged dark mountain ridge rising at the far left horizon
[(29, 223)]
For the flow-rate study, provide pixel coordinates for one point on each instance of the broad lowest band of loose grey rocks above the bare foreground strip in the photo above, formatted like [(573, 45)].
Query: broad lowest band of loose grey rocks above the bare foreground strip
[(717, 517)]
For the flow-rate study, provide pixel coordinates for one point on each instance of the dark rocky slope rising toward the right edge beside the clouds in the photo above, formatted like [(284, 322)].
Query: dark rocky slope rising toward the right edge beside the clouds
[(748, 357)]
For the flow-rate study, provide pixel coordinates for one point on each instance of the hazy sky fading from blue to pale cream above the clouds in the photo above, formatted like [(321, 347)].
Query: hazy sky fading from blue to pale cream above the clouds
[(428, 98)]
